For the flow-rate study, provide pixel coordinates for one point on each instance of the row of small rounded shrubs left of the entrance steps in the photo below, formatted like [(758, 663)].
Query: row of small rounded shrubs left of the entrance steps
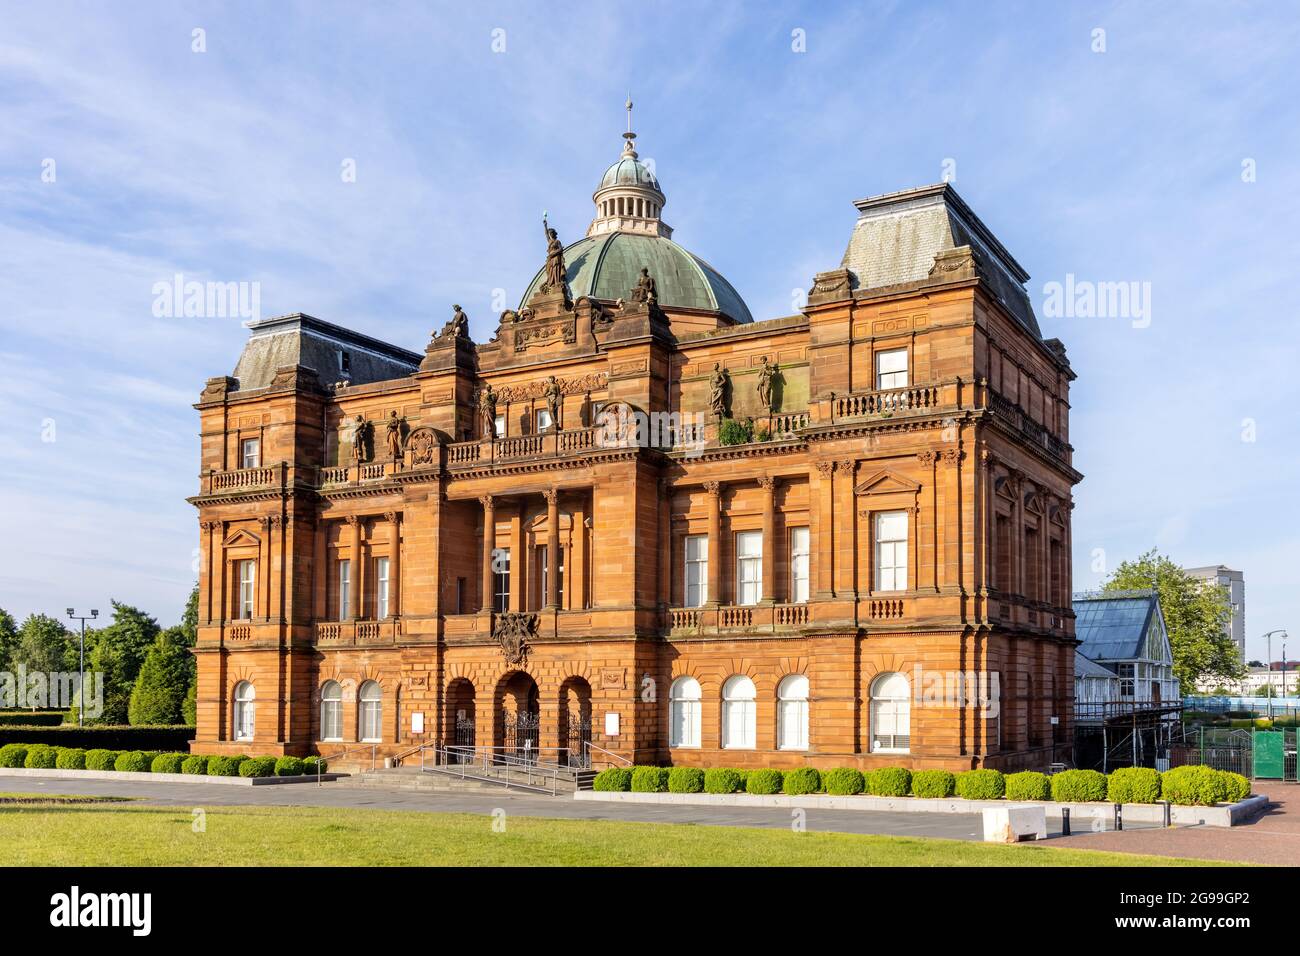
[(45, 758)]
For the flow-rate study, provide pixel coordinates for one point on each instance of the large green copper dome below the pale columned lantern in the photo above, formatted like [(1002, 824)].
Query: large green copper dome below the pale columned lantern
[(608, 267)]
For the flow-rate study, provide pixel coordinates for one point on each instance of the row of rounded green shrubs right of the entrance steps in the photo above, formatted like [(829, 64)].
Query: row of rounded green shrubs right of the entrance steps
[(1185, 786)]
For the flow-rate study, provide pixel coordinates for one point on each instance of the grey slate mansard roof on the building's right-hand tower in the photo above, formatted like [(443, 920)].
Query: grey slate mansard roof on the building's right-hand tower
[(899, 235)]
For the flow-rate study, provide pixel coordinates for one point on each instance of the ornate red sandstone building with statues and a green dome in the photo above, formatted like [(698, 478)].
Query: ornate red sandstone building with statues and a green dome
[(478, 546)]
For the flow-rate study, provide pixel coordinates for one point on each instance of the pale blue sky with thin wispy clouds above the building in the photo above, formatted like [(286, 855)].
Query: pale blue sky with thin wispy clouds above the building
[(1116, 166)]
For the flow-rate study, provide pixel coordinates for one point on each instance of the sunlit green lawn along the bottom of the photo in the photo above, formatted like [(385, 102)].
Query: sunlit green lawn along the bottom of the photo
[(317, 837)]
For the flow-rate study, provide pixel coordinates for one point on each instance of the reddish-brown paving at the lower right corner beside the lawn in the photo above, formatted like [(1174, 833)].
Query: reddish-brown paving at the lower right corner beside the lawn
[(1272, 838)]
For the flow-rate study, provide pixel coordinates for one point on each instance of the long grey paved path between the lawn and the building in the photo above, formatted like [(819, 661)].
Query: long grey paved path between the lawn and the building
[(956, 827)]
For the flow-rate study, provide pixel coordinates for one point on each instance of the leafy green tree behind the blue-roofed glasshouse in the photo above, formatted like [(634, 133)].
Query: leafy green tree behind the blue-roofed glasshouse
[(1197, 615)]
